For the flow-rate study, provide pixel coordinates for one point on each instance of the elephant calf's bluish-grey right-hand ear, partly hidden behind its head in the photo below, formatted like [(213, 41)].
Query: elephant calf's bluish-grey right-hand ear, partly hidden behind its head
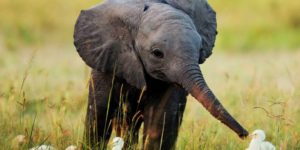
[(204, 18)]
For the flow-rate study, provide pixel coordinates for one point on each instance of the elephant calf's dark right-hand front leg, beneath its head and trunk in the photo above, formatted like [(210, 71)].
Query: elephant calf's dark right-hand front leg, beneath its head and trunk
[(162, 119)]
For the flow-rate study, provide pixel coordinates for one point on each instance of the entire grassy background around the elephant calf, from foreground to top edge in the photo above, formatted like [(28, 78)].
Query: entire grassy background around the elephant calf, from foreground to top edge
[(254, 70)]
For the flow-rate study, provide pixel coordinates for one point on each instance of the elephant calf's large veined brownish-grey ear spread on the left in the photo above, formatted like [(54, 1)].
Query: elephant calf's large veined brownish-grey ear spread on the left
[(103, 37)]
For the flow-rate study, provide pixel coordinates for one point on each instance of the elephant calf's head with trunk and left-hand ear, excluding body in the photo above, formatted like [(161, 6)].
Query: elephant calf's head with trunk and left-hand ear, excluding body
[(135, 39)]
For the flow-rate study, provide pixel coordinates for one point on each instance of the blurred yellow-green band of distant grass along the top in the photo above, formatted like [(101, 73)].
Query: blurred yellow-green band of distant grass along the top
[(243, 26)]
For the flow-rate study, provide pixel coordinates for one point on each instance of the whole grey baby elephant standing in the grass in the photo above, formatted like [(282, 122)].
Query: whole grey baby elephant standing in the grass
[(148, 47)]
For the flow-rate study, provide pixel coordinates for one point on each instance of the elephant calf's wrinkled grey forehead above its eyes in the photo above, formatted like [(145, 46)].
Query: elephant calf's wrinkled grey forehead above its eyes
[(164, 23)]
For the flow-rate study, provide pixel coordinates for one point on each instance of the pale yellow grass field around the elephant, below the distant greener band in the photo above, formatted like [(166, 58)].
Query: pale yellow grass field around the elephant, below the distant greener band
[(43, 95)]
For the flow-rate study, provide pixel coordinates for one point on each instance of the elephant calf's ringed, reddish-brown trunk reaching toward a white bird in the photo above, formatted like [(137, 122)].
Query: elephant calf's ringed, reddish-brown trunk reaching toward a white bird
[(195, 84)]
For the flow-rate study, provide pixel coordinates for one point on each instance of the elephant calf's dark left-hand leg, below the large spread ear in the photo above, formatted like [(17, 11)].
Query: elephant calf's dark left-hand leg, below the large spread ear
[(99, 112)]
